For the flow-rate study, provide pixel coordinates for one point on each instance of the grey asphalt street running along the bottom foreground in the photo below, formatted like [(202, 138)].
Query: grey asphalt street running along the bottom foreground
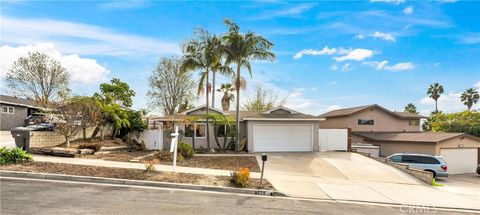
[(29, 196)]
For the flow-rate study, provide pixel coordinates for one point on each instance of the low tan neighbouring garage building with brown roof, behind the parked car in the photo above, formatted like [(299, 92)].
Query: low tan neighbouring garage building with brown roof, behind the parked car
[(460, 151)]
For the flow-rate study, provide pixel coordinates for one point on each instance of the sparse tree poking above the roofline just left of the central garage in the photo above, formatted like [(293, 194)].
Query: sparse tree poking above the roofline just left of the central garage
[(263, 100)]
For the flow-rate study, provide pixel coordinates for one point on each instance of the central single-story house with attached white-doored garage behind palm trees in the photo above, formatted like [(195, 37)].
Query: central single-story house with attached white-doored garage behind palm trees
[(277, 130)]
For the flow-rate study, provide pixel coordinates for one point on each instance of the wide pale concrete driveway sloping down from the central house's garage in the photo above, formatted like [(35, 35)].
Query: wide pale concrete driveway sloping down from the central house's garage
[(351, 176)]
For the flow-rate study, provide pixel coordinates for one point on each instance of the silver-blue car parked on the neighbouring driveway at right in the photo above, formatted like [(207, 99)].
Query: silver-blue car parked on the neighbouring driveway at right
[(430, 163)]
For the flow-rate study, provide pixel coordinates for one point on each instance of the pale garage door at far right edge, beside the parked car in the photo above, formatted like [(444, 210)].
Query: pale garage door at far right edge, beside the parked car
[(460, 160)]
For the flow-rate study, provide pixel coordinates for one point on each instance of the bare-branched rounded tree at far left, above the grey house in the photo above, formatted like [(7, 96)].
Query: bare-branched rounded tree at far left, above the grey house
[(37, 76)]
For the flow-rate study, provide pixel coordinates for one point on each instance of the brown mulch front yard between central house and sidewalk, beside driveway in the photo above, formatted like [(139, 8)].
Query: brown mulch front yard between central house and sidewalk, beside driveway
[(232, 163)]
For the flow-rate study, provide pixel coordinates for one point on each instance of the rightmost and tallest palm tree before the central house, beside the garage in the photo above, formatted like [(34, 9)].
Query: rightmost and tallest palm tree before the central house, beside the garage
[(240, 48)]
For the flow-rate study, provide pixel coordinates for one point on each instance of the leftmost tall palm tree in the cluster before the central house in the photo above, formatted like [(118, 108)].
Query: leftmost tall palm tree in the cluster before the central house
[(203, 54)]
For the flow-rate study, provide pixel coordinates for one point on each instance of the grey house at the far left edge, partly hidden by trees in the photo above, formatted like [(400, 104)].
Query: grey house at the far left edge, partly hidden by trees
[(15, 110)]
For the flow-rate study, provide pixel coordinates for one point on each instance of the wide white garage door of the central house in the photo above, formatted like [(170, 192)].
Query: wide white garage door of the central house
[(283, 138)]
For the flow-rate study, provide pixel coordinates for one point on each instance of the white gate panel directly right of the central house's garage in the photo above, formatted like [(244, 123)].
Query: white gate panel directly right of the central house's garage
[(333, 139)]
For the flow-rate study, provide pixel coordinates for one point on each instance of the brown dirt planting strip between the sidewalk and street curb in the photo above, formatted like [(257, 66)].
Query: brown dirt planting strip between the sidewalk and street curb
[(133, 174)]
